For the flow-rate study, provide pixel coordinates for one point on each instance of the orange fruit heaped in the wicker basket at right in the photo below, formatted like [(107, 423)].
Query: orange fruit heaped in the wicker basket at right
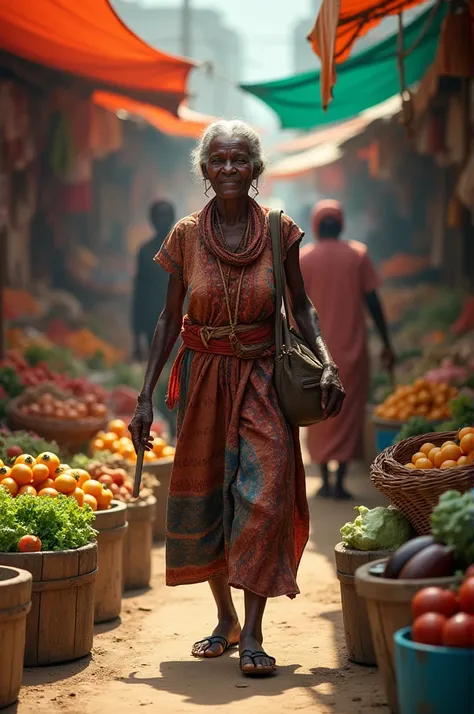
[(447, 456)]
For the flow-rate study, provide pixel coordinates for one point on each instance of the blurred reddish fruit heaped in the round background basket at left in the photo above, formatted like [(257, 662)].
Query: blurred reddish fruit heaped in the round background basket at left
[(58, 405)]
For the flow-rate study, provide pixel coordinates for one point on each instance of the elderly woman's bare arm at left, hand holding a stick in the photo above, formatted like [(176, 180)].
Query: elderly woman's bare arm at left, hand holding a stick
[(166, 333)]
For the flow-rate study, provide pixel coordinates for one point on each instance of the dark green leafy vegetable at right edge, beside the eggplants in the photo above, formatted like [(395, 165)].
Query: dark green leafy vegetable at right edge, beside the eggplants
[(452, 523)]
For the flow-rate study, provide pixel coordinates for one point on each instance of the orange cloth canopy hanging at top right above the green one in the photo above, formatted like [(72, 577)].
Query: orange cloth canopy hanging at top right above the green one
[(339, 24)]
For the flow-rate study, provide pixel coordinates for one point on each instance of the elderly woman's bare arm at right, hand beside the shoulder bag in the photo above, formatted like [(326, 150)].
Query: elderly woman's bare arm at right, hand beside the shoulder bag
[(307, 320)]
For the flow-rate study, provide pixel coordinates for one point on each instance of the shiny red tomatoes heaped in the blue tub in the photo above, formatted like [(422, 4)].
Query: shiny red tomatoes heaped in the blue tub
[(443, 617)]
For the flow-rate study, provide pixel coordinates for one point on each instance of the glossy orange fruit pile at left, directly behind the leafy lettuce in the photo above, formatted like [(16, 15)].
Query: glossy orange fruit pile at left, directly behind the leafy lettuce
[(44, 476)]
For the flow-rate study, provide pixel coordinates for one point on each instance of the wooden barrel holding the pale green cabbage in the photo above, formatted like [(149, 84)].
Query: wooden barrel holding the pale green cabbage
[(359, 644)]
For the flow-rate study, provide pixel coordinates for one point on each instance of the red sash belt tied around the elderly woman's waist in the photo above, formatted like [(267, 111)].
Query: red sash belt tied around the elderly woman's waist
[(242, 341)]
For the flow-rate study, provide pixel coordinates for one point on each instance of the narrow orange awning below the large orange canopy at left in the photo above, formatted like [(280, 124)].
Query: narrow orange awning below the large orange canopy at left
[(187, 124)]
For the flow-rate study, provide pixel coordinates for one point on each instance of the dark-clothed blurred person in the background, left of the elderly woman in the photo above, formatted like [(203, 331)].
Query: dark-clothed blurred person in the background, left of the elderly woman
[(151, 280)]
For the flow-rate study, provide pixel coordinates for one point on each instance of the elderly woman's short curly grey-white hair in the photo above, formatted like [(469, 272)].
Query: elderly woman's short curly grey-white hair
[(234, 129)]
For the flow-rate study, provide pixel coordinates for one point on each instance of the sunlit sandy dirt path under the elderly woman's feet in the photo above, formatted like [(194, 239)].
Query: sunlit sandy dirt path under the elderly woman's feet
[(142, 661)]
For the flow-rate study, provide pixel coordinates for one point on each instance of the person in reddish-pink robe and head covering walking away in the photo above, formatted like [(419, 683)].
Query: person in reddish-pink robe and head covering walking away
[(341, 282)]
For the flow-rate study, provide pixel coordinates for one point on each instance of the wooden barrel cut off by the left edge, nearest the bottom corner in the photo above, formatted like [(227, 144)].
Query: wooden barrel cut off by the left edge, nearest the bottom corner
[(15, 604)]
